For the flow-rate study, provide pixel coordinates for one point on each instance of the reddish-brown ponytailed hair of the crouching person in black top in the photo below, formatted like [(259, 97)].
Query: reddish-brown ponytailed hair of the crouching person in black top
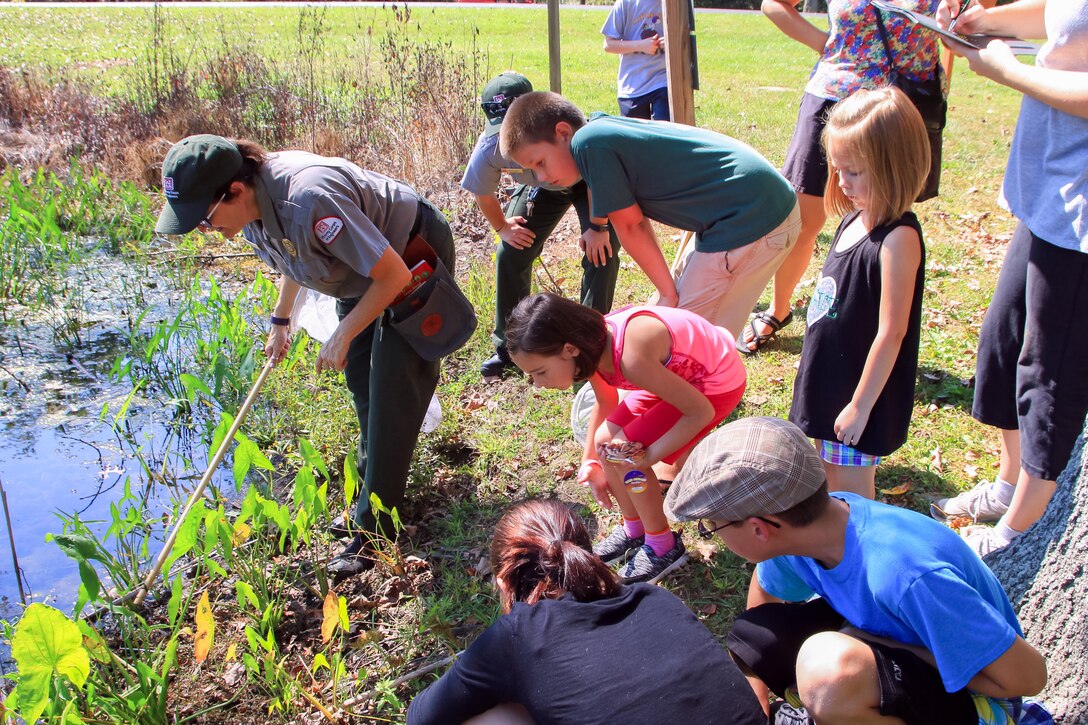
[(541, 550)]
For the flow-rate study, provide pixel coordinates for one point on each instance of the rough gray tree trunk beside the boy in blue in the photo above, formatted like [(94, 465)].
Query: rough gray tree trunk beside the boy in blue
[(1044, 574)]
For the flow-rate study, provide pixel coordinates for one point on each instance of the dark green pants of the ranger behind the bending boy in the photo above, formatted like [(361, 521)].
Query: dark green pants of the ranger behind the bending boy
[(514, 267)]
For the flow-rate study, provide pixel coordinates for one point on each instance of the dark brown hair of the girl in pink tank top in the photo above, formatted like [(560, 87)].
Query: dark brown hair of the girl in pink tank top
[(542, 325)]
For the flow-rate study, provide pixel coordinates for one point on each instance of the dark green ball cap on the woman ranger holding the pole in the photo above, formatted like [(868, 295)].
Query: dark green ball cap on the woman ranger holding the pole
[(194, 169)]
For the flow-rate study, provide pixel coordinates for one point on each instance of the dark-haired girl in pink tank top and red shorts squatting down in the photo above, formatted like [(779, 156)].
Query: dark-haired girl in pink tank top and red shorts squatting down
[(686, 378)]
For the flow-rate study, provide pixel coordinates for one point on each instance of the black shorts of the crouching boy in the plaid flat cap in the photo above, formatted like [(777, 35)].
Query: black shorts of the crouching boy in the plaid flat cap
[(766, 641)]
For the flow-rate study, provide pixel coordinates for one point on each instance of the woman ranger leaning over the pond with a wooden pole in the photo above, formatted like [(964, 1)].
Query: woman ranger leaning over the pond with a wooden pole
[(329, 226)]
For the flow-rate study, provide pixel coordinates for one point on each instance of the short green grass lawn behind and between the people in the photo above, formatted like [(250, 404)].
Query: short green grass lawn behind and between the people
[(502, 443)]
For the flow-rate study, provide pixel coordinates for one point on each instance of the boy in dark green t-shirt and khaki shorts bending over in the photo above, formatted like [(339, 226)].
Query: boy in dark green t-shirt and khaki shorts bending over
[(744, 213)]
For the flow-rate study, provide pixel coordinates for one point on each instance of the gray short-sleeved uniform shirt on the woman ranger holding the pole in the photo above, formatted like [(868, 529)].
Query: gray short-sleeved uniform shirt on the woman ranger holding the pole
[(326, 223)]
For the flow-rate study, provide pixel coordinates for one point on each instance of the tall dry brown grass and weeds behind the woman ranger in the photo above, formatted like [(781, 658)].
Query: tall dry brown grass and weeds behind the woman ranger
[(406, 110)]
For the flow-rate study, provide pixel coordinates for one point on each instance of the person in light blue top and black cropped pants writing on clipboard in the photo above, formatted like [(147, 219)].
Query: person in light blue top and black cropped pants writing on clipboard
[(1033, 351)]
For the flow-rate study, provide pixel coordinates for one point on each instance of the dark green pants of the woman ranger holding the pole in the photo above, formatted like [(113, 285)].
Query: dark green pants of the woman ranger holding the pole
[(391, 387)]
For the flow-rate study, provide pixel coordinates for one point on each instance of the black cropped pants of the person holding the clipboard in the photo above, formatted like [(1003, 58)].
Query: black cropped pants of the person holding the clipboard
[(1037, 383)]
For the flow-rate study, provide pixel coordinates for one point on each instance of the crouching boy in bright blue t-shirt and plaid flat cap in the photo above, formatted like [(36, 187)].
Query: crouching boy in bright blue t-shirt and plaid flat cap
[(858, 611)]
